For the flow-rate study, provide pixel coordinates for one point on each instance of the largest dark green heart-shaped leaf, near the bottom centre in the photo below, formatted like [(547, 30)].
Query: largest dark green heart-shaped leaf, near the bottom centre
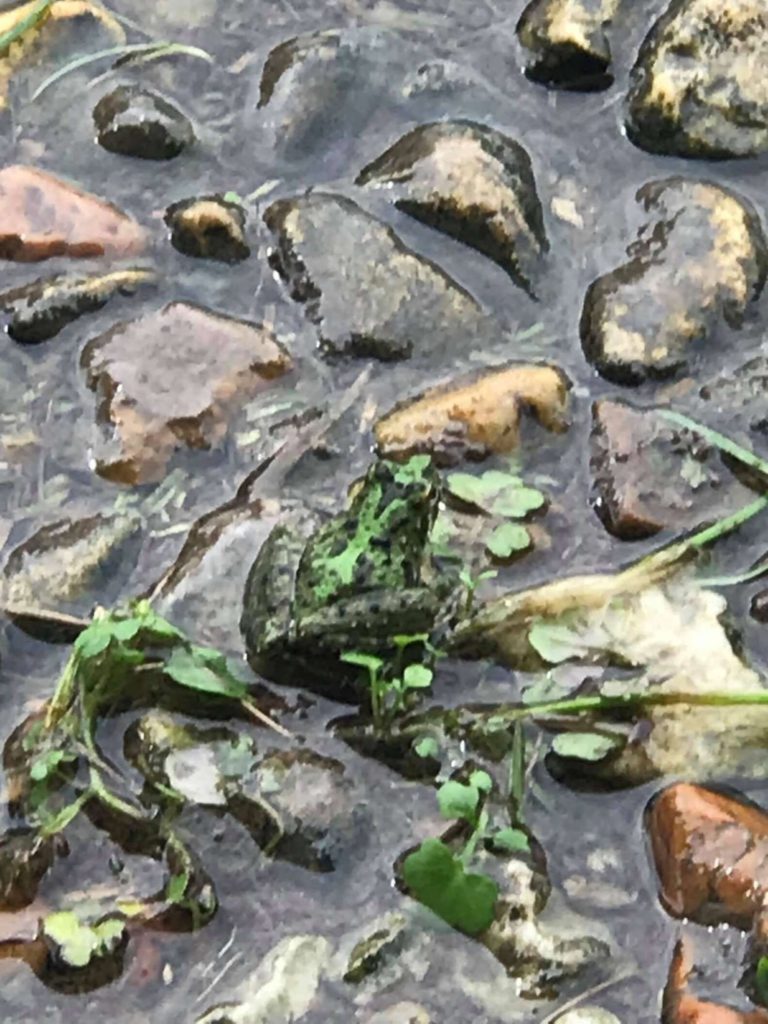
[(440, 881)]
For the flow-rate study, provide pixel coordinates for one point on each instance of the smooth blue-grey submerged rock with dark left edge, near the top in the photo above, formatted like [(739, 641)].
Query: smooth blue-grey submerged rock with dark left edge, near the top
[(321, 87)]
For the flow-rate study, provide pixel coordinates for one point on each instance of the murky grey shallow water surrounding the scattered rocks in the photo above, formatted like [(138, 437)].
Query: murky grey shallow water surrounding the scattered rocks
[(579, 153)]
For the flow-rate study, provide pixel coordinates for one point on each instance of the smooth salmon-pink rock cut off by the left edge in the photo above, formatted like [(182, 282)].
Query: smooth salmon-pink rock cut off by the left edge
[(44, 217)]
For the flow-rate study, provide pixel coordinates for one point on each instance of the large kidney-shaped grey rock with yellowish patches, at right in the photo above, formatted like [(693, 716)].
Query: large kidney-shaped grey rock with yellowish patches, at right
[(700, 261)]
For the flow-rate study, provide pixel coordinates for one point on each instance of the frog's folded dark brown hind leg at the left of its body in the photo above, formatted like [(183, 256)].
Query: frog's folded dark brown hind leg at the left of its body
[(268, 603)]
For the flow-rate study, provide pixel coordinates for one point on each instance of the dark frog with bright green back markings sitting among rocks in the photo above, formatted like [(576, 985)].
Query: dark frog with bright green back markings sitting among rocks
[(361, 579)]
